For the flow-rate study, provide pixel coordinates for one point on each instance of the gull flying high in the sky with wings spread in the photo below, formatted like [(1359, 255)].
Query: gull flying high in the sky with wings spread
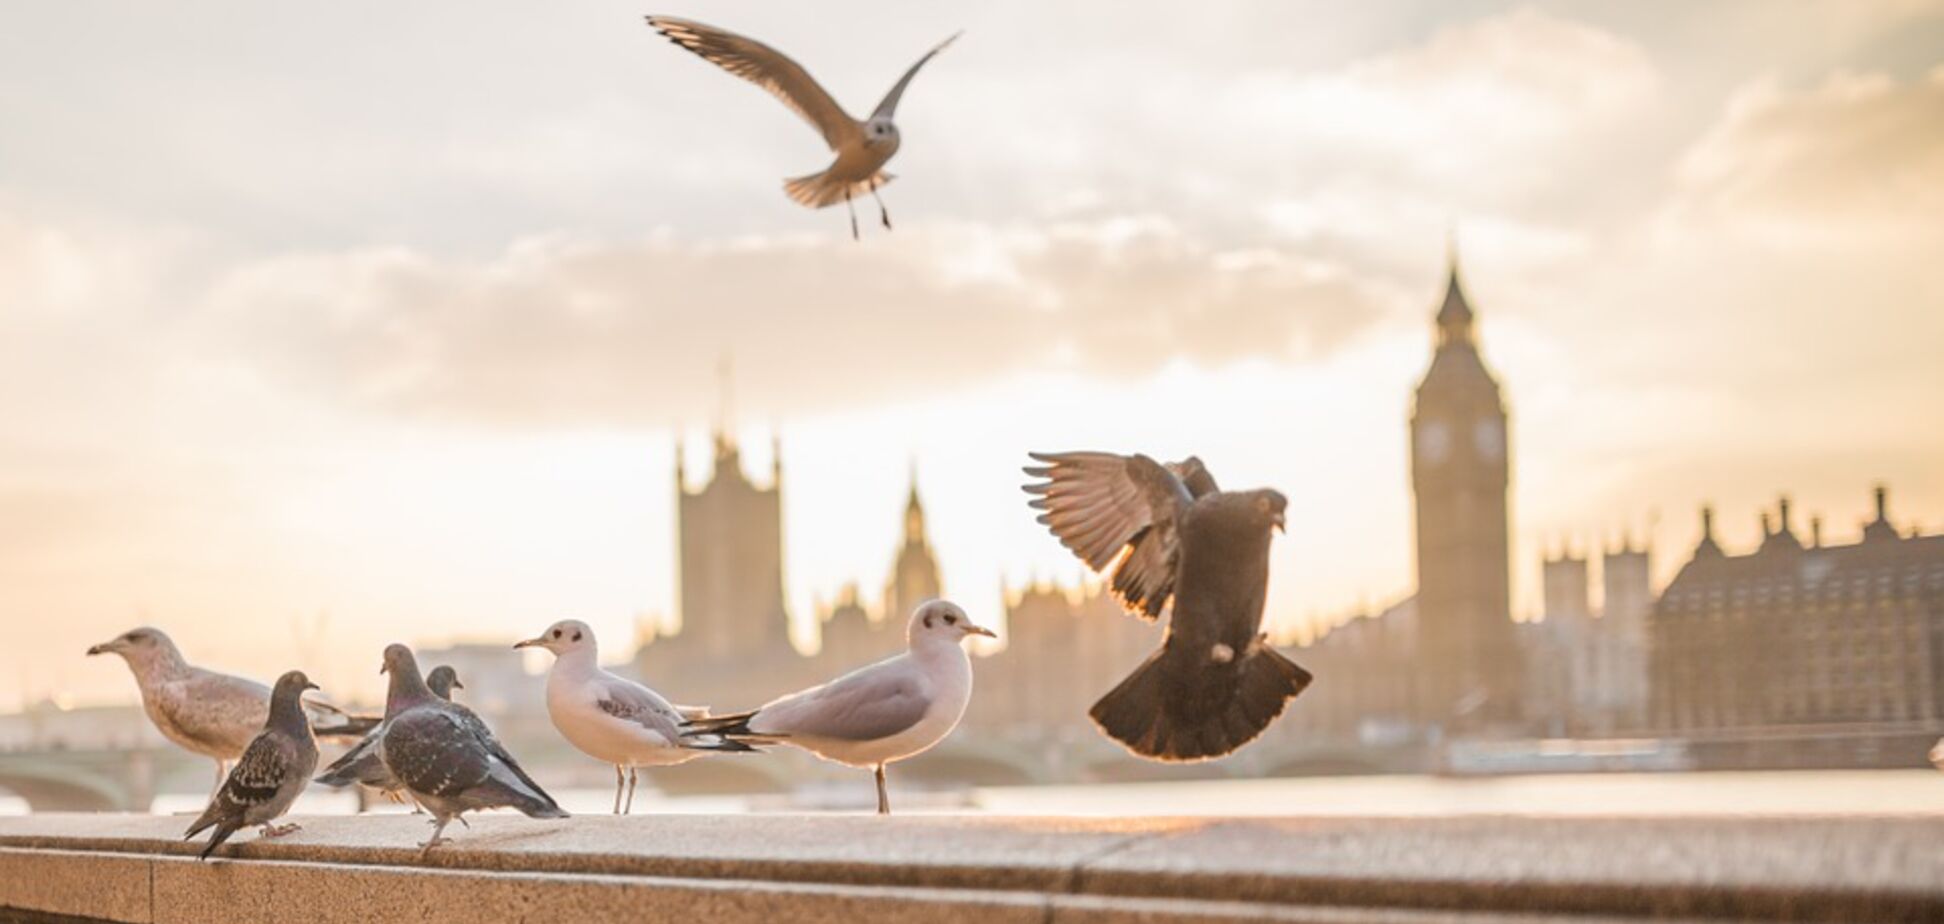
[(862, 147)]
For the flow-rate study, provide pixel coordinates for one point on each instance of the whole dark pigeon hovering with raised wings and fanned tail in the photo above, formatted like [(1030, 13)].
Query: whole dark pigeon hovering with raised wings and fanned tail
[(1216, 682)]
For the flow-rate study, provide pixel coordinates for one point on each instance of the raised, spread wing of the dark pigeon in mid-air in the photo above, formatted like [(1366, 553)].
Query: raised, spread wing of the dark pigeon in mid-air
[(1103, 505)]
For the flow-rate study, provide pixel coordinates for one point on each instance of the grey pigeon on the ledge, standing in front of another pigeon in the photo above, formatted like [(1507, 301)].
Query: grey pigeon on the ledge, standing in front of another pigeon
[(446, 758)]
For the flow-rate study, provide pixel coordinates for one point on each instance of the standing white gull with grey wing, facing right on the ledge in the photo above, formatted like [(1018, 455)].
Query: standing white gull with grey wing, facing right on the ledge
[(878, 715)]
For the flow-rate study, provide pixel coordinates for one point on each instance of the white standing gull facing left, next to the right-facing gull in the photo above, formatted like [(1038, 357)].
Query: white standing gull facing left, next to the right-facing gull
[(613, 719)]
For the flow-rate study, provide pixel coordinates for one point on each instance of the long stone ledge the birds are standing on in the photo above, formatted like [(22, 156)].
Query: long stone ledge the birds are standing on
[(989, 869)]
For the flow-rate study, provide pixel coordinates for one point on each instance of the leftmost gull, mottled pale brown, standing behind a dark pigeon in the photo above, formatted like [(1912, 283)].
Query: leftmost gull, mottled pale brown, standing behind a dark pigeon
[(207, 713)]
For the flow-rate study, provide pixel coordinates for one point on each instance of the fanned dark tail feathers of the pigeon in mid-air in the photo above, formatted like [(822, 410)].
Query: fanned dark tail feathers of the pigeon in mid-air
[(1185, 707)]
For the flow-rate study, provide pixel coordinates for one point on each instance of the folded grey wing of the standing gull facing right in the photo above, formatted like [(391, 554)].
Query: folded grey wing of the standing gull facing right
[(866, 705)]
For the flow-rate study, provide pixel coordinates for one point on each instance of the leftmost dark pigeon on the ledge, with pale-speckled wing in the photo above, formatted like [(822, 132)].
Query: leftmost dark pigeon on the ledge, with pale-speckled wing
[(271, 773)]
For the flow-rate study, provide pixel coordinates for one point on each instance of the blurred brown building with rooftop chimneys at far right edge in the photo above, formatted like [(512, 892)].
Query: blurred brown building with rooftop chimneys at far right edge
[(1803, 635)]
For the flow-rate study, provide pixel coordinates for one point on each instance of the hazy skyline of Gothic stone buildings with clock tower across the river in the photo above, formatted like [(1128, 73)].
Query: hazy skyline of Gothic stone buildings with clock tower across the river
[(1786, 645)]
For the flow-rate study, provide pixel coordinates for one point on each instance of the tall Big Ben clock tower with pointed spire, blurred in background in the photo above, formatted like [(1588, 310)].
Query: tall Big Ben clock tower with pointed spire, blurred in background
[(1473, 672)]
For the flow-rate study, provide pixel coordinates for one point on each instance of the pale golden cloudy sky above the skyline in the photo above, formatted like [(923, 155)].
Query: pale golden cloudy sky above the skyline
[(392, 314)]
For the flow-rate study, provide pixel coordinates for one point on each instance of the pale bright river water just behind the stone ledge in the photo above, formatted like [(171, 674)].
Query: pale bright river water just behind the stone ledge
[(1813, 793)]
